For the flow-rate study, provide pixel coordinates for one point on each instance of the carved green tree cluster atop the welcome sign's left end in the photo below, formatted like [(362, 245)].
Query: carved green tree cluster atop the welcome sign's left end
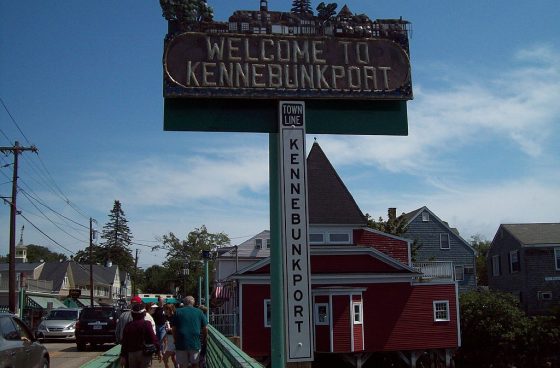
[(188, 11)]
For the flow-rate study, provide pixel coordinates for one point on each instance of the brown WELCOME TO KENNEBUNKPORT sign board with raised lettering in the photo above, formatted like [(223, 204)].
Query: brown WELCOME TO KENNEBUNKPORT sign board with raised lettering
[(272, 66)]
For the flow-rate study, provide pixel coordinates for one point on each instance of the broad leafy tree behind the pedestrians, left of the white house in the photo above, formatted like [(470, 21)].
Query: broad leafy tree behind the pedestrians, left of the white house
[(190, 250)]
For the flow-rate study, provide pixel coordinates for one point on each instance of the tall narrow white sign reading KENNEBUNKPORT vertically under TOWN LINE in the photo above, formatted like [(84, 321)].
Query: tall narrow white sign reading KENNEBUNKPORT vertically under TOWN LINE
[(295, 246)]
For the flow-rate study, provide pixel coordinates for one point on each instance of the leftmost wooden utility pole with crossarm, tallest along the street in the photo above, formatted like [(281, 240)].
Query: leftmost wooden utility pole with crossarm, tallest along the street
[(15, 150)]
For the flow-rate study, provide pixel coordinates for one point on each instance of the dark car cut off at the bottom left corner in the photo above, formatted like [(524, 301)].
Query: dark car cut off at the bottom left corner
[(18, 346)]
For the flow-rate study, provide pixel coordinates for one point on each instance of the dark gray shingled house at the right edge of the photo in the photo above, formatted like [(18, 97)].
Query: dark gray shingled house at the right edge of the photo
[(524, 259)]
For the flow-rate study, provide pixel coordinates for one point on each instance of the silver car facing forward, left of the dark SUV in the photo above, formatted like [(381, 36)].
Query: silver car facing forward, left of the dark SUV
[(59, 323)]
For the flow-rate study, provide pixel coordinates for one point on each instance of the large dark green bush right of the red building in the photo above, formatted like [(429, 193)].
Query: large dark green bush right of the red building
[(496, 332)]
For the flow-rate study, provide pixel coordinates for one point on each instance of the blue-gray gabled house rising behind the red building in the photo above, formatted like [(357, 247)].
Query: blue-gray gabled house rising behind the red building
[(440, 247)]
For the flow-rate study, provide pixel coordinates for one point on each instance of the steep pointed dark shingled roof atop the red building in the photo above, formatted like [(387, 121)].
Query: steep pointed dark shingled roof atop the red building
[(330, 202)]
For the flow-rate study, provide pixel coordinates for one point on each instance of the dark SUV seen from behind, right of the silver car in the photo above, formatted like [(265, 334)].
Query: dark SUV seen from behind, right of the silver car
[(95, 326)]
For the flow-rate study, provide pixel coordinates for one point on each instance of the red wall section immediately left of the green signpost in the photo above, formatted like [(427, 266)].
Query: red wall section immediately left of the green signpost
[(256, 338)]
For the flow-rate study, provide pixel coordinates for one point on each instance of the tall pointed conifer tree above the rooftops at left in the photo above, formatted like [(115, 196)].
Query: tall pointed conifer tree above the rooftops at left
[(117, 240)]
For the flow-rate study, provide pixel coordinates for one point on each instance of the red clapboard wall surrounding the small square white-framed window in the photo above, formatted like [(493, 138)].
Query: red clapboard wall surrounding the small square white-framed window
[(400, 317)]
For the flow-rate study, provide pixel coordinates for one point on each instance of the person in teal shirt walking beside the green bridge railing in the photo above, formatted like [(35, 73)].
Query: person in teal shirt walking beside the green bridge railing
[(189, 330)]
